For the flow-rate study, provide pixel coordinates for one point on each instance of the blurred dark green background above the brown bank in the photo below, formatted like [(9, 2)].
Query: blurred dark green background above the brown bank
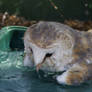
[(44, 10)]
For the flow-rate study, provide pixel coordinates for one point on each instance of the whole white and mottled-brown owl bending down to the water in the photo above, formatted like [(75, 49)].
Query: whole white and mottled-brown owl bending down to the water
[(70, 50)]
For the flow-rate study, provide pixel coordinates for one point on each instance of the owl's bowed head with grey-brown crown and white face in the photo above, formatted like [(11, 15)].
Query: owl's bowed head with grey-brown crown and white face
[(46, 38)]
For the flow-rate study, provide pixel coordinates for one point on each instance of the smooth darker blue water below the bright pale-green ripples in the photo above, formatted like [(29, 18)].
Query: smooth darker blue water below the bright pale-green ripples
[(13, 79)]
